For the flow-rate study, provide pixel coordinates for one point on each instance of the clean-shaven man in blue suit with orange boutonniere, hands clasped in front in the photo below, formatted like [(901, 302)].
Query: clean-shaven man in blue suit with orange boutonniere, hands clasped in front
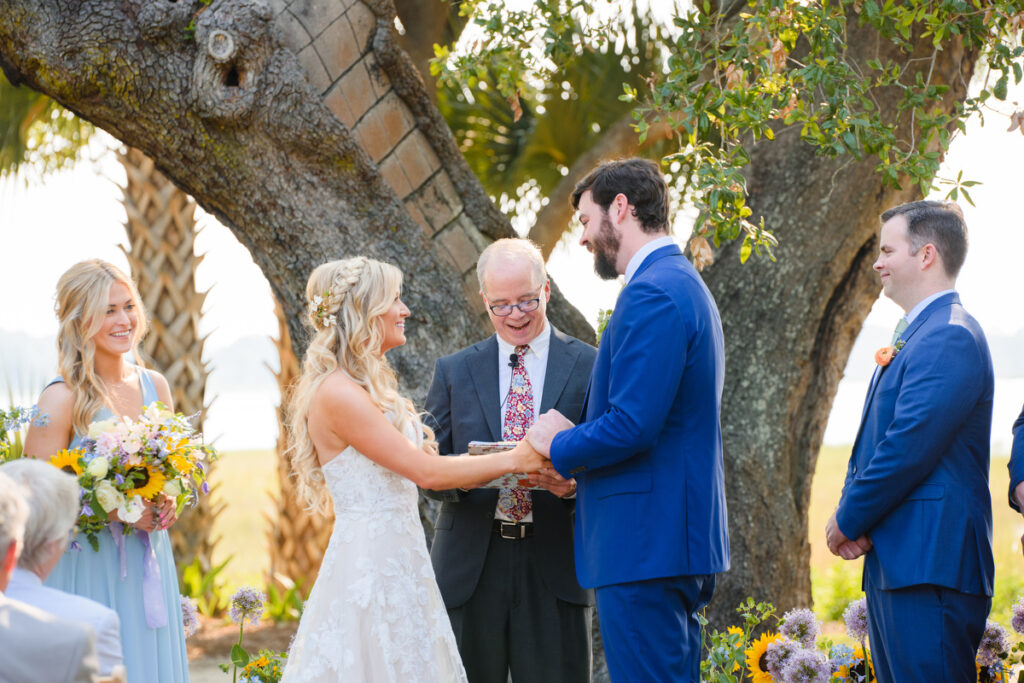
[(916, 498)]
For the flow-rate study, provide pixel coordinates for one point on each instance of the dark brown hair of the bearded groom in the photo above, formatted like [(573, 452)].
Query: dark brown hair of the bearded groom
[(641, 181)]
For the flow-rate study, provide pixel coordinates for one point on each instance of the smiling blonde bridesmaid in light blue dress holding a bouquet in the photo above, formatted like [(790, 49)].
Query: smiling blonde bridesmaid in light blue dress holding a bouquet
[(102, 320)]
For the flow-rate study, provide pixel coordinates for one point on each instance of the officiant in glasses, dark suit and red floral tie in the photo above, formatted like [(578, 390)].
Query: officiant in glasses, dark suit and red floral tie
[(504, 559)]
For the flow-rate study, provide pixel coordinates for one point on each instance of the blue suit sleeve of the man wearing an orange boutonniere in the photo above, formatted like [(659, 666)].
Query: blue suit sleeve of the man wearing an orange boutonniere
[(942, 383)]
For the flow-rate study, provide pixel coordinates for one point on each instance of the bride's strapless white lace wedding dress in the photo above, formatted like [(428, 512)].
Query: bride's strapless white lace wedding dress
[(375, 614)]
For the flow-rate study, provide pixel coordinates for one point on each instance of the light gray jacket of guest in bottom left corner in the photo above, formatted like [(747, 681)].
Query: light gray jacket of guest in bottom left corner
[(36, 647)]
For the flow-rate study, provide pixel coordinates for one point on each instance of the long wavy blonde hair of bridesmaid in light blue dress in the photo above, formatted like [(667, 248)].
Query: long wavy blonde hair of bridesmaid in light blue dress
[(82, 300)]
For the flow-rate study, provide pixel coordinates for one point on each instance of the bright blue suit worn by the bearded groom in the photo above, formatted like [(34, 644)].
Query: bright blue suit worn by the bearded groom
[(652, 528)]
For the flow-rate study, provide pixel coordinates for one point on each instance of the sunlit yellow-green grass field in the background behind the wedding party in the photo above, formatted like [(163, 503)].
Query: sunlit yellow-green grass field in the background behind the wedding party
[(247, 480)]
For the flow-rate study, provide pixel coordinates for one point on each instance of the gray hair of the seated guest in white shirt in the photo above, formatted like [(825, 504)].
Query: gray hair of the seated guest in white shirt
[(53, 498)]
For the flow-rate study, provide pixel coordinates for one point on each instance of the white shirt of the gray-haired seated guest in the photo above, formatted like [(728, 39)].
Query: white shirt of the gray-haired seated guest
[(28, 588)]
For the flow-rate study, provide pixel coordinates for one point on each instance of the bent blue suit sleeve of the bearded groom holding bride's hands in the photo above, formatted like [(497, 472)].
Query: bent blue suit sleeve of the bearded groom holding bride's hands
[(647, 366)]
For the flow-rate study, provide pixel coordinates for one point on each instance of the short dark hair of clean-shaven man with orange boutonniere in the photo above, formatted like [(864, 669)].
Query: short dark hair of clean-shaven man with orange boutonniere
[(940, 224)]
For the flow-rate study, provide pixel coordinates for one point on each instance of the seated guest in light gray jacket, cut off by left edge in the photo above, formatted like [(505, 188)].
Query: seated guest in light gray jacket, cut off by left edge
[(49, 649)]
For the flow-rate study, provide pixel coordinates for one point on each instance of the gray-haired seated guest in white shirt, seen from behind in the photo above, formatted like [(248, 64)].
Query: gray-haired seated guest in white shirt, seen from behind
[(53, 498)]
